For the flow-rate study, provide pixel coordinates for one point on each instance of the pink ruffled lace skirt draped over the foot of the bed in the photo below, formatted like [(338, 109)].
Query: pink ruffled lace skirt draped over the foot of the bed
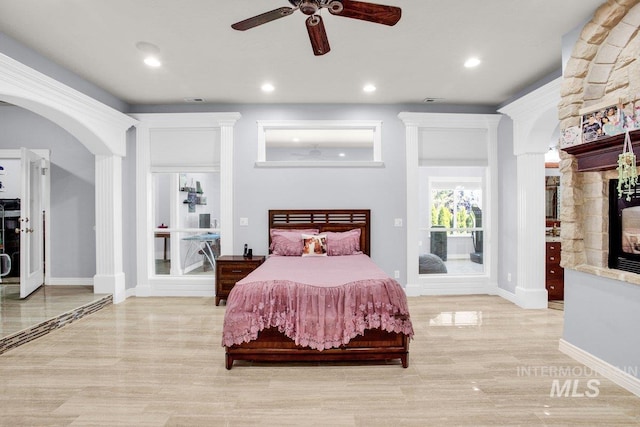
[(319, 317)]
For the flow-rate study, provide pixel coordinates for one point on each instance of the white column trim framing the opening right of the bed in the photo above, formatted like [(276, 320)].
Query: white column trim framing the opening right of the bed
[(459, 284)]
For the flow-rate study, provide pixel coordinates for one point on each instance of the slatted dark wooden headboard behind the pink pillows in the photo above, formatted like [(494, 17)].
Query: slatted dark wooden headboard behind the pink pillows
[(337, 220)]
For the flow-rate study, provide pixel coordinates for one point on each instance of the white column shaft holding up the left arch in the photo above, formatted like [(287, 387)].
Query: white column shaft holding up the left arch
[(109, 278)]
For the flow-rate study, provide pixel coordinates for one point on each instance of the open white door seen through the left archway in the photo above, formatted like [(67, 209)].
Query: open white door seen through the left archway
[(34, 171)]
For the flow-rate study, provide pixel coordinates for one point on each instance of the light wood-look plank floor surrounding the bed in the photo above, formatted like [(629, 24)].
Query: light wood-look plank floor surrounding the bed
[(475, 361)]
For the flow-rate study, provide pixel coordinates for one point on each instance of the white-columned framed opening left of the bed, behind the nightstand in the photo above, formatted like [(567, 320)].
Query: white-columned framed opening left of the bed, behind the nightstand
[(175, 152)]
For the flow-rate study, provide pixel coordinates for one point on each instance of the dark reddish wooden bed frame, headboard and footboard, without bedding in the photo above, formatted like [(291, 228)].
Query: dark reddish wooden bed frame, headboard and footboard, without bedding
[(273, 346)]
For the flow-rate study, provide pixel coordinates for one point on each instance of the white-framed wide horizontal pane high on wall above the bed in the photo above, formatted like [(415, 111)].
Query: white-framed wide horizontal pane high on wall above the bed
[(305, 143)]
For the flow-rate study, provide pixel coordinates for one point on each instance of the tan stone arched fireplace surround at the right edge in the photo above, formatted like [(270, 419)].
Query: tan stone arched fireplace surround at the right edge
[(604, 66)]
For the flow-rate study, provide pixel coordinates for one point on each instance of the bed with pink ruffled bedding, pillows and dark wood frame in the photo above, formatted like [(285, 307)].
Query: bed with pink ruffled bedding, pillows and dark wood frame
[(317, 307)]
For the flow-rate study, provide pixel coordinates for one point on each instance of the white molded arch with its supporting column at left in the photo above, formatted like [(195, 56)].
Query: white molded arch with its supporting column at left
[(103, 131)]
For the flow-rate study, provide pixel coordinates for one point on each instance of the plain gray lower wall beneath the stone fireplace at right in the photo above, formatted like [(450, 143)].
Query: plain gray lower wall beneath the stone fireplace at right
[(602, 317)]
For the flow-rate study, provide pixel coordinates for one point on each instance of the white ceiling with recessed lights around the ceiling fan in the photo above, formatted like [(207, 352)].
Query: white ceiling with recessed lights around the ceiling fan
[(519, 42)]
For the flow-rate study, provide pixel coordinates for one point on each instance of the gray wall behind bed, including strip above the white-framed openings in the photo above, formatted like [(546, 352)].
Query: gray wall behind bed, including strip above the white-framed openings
[(383, 190)]
